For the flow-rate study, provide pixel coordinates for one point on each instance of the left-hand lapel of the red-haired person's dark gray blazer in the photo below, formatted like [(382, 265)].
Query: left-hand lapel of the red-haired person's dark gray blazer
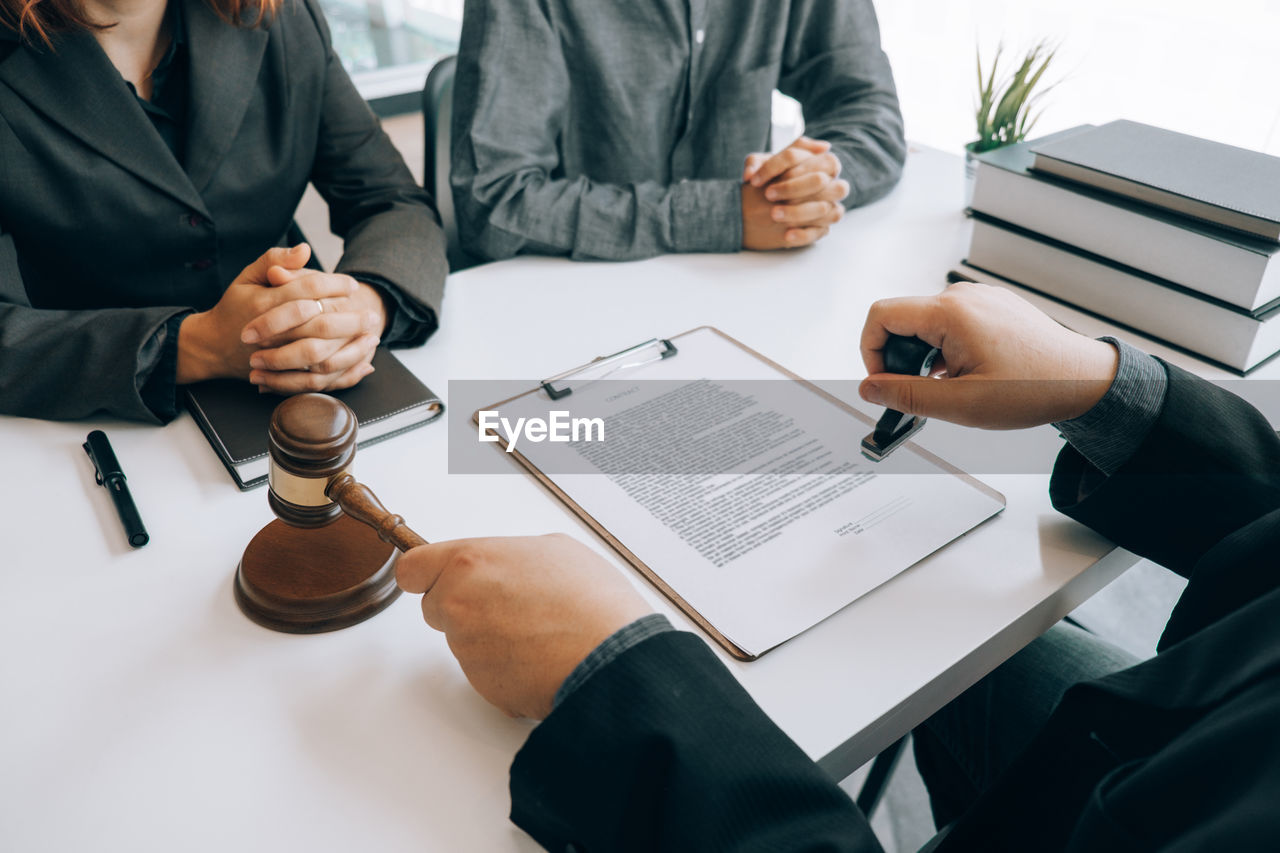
[(77, 88)]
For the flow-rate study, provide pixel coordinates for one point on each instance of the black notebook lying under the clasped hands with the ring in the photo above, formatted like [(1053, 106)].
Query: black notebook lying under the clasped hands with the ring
[(235, 417)]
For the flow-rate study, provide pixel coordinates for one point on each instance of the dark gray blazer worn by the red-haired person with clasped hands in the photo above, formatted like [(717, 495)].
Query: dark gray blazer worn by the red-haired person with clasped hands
[(104, 236)]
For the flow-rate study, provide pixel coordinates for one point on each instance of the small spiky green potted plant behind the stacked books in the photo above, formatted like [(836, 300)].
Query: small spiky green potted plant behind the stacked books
[(1004, 110)]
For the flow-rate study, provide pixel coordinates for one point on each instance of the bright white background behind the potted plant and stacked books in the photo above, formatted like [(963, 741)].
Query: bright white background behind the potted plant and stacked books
[(1204, 67)]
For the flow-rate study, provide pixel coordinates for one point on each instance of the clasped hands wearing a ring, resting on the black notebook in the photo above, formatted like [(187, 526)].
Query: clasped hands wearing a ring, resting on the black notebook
[(286, 329)]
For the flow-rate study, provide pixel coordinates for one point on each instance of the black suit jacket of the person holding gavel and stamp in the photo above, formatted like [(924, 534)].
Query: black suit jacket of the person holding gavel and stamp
[(664, 751)]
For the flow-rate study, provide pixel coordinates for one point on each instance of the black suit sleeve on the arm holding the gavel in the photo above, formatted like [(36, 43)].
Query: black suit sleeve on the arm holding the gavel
[(662, 750)]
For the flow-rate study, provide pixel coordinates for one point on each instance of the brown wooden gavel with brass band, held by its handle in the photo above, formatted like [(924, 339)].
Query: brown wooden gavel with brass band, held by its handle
[(313, 444)]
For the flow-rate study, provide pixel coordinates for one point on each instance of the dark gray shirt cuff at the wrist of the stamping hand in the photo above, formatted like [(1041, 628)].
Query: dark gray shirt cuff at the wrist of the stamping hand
[(1109, 434)]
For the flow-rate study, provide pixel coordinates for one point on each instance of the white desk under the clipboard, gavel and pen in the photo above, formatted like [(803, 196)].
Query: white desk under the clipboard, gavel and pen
[(143, 713)]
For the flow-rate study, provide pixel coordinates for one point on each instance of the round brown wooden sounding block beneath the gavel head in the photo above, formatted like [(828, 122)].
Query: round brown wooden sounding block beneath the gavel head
[(321, 580)]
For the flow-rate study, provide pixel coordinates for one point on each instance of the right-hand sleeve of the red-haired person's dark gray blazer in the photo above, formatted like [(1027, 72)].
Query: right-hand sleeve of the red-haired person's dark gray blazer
[(392, 232)]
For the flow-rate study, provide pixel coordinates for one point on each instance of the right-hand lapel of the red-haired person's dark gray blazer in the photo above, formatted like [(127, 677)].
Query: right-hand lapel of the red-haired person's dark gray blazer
[(225, 66)]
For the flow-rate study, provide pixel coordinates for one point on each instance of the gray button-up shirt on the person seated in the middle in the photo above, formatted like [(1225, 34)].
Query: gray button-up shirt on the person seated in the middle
[(619, 129)]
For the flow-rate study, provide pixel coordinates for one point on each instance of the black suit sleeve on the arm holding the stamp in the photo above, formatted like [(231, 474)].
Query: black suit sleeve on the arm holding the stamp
[(1209, 468)]
